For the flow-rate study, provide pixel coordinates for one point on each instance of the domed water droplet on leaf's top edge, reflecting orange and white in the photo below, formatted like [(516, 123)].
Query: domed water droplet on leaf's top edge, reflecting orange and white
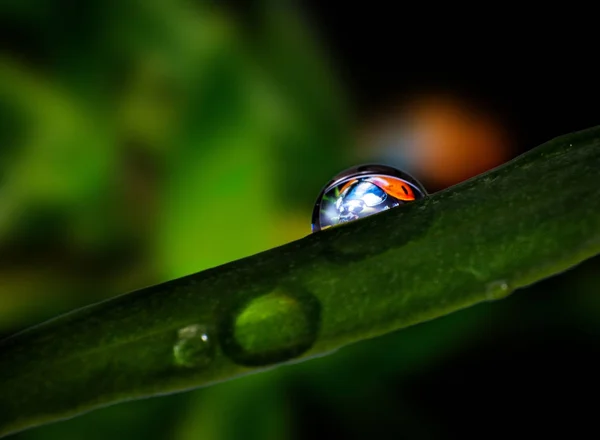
[(363, 191)]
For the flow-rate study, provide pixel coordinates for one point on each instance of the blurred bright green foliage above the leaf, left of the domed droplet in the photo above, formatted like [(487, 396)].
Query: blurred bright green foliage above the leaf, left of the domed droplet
[(135, 135)]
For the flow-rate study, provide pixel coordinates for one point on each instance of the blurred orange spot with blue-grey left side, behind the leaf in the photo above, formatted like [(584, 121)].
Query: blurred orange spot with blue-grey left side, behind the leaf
[(443, 140)]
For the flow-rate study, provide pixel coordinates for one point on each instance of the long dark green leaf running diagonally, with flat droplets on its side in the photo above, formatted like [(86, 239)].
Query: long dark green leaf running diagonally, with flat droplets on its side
[(478, 241)]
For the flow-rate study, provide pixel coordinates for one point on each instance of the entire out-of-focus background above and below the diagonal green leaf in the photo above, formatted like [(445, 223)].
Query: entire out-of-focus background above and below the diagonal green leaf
[(143, 141)]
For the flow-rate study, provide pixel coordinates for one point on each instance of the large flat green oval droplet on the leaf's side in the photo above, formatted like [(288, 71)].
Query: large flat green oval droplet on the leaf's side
[(271, 328)]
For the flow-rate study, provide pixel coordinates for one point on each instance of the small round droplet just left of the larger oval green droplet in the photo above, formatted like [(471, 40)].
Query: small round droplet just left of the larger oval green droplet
[(194, 347)]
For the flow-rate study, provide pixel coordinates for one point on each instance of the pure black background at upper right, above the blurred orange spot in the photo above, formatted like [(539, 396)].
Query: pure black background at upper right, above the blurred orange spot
[(538, 75)]
